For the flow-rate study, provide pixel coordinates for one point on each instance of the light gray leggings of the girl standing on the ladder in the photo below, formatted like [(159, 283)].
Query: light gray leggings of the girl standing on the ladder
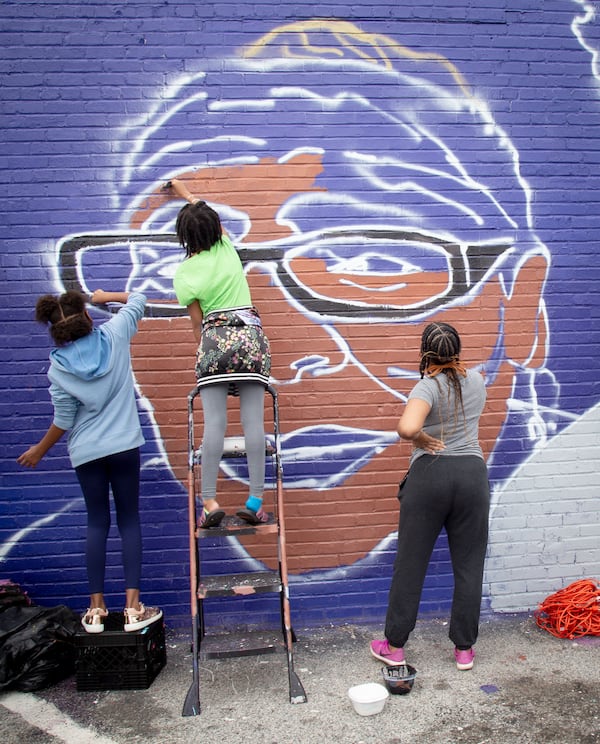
[(252, 410)]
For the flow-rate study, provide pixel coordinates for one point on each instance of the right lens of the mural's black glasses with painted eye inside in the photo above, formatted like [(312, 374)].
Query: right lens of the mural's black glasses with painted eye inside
[(382, 273)]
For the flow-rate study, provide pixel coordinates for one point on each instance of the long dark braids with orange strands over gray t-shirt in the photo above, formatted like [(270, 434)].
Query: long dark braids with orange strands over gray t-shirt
[(440, 345)]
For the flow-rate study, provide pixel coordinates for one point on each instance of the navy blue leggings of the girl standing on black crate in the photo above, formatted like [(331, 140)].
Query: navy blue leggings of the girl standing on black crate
[(121, 473)]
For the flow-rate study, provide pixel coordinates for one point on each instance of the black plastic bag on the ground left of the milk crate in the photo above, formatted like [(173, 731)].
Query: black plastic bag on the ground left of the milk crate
[(37, 646)]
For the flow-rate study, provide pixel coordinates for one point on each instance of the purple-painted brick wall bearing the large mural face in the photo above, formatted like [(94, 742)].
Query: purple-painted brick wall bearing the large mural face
[(388, 166)]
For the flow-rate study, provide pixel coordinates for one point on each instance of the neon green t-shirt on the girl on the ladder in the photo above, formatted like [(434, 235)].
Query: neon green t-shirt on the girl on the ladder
[(215, 278)]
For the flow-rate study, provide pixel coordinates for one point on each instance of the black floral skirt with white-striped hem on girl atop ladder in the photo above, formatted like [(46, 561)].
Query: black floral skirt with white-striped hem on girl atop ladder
[(233, 348)]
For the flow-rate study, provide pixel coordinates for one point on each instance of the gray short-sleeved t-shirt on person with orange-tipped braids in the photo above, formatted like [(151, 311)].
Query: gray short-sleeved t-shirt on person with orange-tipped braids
[(457, 426)]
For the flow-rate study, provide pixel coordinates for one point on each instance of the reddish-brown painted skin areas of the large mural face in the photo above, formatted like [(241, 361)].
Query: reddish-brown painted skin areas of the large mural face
[(341, 381)]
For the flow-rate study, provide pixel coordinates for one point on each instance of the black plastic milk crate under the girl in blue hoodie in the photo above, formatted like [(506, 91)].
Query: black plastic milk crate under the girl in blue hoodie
[(116, 660)]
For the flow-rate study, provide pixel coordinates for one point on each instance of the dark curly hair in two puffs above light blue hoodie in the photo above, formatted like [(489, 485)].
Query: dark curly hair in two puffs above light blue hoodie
[(66, 315)]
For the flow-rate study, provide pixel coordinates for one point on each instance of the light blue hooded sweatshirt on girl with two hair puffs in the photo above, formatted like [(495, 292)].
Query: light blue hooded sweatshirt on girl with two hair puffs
[(92, 388)]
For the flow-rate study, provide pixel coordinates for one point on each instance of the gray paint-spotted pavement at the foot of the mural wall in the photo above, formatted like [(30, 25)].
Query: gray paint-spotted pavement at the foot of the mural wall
[(527, 687)]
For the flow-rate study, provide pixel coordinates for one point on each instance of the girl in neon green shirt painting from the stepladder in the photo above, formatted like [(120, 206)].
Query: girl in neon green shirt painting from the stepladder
[(233, 351)]
